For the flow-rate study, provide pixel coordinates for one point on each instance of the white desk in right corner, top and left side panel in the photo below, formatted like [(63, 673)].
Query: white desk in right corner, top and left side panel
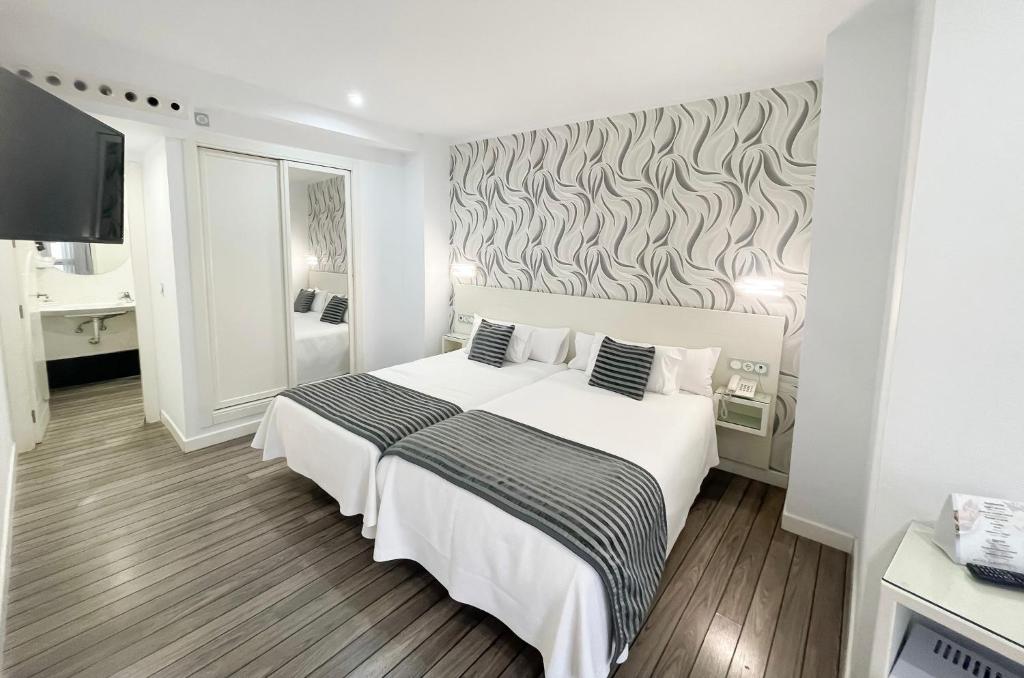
[(923, 582)]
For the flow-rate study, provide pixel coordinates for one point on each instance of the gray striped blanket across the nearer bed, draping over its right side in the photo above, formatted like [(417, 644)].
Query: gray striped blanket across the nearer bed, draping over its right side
[(608, 511)]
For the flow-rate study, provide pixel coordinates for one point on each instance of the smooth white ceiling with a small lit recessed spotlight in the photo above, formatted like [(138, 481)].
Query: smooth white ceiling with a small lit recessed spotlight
[(466, 69)]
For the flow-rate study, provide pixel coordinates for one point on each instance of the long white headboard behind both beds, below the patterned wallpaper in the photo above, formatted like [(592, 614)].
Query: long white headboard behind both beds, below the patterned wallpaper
[(747, 336)]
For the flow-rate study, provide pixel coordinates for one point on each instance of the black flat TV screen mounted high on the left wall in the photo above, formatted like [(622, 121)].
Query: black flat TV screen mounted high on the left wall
[(62, 173)]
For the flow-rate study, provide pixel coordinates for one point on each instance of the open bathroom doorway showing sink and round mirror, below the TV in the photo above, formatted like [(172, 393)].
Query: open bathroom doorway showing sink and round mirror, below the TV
[(83, 310)]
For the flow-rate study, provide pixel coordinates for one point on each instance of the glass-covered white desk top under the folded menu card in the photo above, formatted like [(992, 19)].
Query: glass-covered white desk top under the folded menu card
[(923, 570)]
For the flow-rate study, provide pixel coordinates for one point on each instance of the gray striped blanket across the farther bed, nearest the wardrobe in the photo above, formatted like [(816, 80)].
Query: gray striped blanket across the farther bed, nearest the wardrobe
[(372, 408)]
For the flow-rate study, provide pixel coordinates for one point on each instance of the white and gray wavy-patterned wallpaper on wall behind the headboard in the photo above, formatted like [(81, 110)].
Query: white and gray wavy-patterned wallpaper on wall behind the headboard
[(667, 206)]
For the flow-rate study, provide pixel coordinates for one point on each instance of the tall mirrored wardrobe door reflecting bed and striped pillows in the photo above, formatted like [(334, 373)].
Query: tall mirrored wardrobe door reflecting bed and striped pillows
[(322, 314)]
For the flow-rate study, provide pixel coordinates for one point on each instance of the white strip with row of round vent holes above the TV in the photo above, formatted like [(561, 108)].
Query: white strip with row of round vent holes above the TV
[(77, 87)]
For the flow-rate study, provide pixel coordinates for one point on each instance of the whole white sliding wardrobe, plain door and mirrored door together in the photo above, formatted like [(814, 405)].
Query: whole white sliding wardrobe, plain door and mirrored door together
[(279, 279)]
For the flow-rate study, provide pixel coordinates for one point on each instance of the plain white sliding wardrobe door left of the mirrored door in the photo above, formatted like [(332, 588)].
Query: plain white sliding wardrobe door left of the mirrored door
[(245, 277)]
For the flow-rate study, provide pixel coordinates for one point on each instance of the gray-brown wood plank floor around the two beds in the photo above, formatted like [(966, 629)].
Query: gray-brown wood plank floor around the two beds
[(132, 559)]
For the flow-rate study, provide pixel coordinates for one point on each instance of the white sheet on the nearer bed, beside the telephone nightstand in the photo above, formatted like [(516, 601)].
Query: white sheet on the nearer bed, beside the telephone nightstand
[(485, 558)]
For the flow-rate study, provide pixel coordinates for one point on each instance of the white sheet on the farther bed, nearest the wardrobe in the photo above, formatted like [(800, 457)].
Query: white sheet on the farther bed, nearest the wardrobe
[(344, 464)]
